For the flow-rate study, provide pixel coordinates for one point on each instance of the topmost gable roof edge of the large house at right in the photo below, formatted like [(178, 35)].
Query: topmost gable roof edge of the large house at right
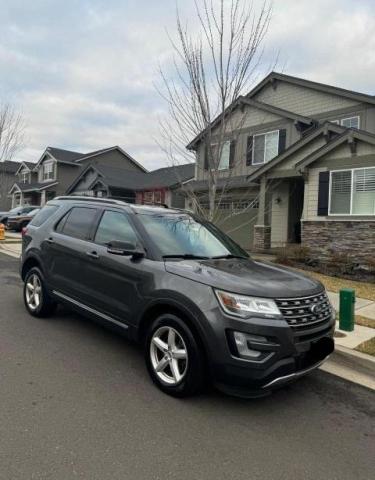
[(322, 87)]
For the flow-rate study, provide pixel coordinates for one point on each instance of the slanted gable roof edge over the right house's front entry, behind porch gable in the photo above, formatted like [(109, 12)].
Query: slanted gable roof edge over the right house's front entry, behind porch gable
[(324, 129)]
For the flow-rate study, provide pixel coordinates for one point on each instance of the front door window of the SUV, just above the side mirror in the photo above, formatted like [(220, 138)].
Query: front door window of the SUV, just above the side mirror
[(115, 226)]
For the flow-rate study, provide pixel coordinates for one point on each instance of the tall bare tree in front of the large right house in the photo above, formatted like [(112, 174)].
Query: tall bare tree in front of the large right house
[(214, 65)]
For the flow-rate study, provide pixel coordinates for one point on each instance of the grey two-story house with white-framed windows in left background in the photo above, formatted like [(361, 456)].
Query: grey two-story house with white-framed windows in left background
[(58, 168)]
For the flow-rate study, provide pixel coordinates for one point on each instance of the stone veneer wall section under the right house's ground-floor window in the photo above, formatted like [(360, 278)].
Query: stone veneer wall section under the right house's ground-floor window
[(356, 238)]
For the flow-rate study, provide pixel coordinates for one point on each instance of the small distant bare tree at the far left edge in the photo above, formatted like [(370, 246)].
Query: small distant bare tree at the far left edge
[(11, 141)]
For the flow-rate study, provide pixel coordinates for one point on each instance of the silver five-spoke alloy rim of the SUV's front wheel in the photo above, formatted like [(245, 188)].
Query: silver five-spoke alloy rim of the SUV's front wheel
[(169, 356)]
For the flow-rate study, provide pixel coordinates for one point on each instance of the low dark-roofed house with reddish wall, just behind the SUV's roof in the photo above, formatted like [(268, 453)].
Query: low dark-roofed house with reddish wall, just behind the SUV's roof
[(159, 186)]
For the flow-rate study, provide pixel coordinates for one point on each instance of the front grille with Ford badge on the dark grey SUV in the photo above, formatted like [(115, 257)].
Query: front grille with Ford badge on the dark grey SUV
[(305, 311)]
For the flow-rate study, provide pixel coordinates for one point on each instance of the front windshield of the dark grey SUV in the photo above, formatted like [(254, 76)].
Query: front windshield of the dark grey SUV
[(184, 236)]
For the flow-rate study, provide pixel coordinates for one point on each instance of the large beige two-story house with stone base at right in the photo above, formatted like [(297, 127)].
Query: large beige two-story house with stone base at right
[(303, 162)]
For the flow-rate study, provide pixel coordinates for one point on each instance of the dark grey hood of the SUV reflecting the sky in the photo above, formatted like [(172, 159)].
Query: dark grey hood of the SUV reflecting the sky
[(247, 277)]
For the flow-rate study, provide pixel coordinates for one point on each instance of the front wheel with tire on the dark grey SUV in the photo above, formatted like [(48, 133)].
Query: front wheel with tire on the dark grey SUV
[(174, 358)]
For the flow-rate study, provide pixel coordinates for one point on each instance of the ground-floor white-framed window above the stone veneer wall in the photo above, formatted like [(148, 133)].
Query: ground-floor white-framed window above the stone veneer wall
[(352, 192)]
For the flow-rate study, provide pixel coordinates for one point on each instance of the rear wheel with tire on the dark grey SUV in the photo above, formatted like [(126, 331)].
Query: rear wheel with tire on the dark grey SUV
[(35, 295)]
